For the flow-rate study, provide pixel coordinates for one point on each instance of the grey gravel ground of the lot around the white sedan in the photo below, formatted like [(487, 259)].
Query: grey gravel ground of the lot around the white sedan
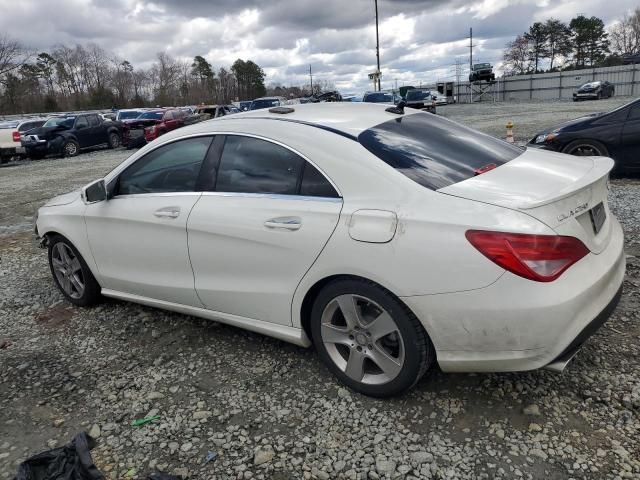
[(271, 410)]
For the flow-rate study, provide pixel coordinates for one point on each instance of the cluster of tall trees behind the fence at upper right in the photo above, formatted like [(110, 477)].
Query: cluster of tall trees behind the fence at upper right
[(584, 42)]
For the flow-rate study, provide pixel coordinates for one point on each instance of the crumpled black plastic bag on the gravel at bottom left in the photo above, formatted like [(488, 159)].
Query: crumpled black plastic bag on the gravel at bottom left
[(71, 462)]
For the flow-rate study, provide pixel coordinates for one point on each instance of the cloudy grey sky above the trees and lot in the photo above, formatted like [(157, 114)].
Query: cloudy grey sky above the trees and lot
[(420, 40)]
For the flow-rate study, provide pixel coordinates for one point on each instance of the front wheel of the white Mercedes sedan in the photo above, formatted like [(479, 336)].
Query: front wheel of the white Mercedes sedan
[(70, 272)]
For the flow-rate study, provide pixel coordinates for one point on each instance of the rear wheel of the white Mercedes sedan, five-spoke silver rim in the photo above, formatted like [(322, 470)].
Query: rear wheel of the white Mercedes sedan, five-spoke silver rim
[(369, 339)]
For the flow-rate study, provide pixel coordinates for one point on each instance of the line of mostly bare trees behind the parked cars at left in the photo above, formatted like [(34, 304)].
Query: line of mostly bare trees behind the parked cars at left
[(89, 77)]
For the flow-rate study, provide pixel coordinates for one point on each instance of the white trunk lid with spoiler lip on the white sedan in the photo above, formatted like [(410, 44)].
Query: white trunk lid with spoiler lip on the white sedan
[(559, 190)]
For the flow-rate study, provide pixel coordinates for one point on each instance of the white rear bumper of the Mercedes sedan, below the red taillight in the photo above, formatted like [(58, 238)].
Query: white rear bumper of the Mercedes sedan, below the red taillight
[(516, 324)]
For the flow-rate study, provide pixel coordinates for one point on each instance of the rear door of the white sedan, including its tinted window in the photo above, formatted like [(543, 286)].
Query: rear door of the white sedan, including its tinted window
[(252, 238)]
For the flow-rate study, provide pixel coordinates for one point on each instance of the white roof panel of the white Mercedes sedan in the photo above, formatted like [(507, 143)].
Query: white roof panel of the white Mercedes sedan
[(347, 117)]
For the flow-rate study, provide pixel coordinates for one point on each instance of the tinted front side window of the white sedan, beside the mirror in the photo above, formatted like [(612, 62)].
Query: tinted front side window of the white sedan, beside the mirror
[(171, 168)]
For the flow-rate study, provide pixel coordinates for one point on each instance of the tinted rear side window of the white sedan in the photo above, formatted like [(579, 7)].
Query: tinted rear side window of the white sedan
[(252, 165)]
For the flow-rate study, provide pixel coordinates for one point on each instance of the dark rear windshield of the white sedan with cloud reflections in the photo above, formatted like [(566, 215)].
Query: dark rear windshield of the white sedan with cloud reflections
[(433, 151)]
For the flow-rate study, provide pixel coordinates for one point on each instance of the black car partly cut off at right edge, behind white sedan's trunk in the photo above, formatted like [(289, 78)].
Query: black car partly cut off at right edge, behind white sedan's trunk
[(614, 134)]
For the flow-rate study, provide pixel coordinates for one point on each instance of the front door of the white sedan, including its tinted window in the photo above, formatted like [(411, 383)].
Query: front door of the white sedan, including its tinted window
[(138, 237)]
